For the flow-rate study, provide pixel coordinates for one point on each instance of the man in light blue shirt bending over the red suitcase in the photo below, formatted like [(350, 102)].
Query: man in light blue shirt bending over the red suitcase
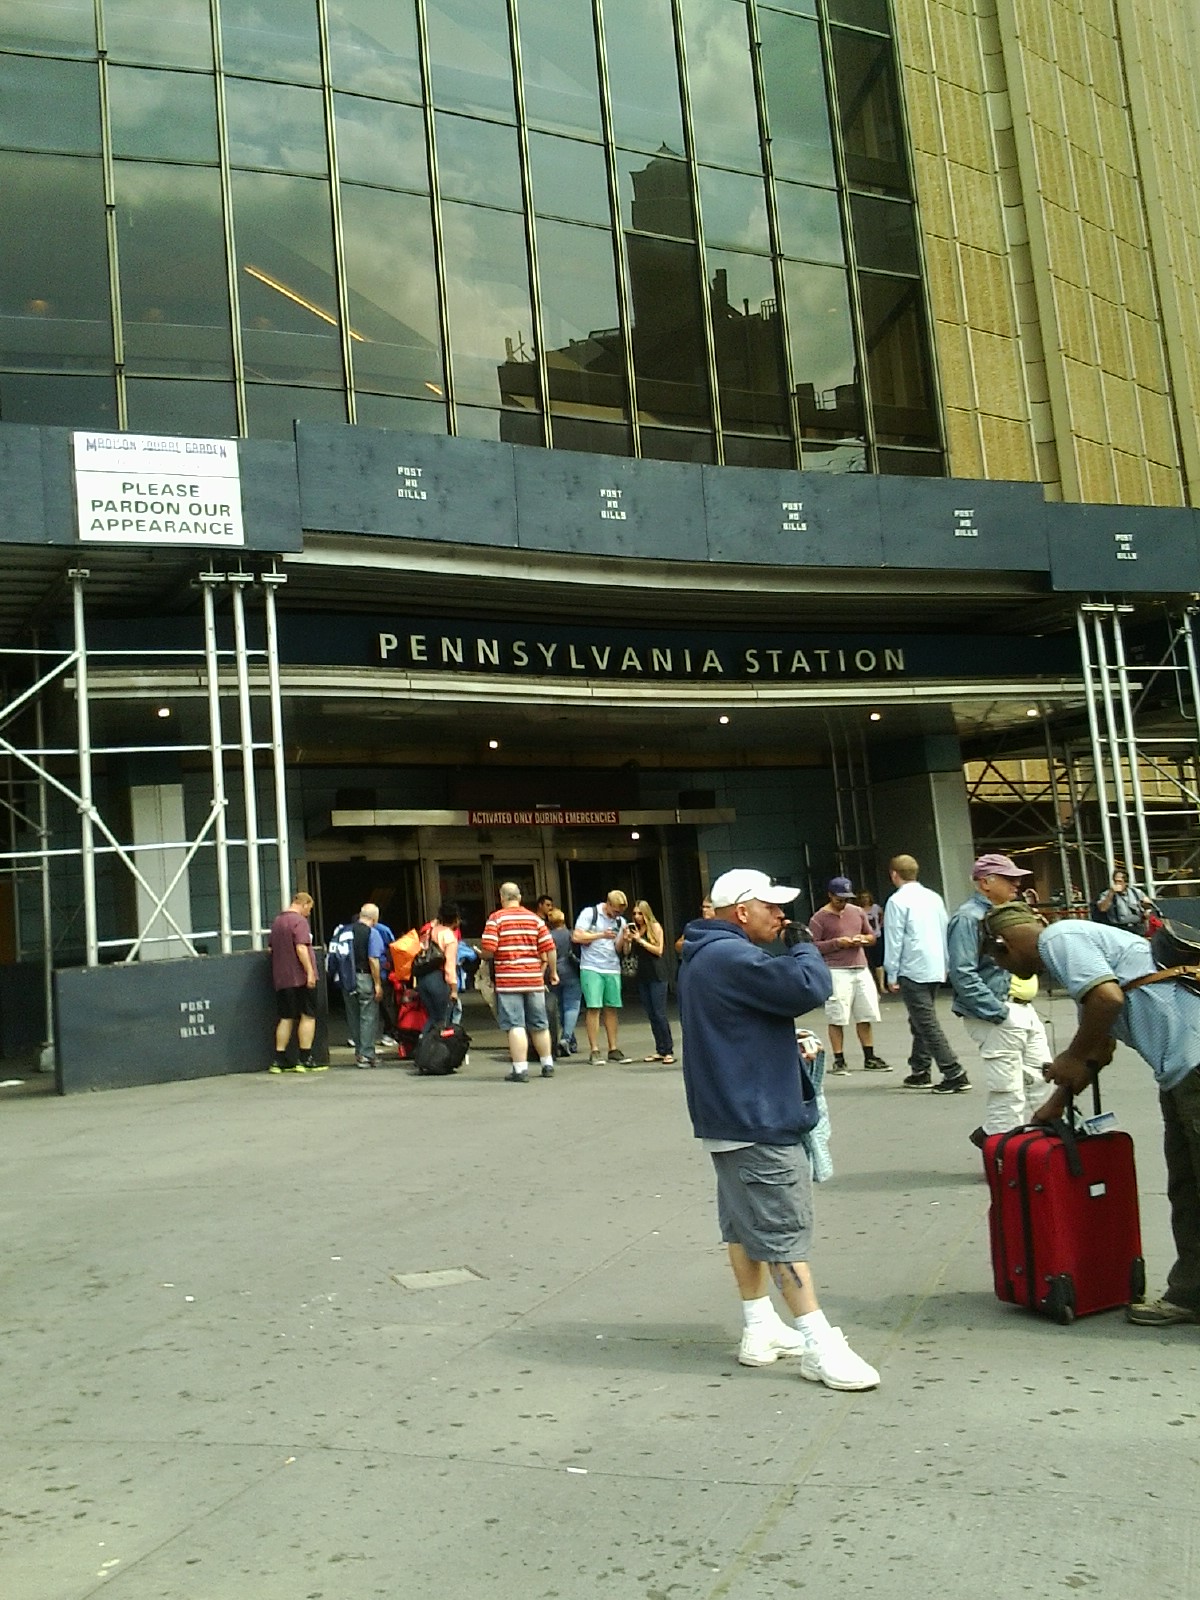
[(1100, 969)]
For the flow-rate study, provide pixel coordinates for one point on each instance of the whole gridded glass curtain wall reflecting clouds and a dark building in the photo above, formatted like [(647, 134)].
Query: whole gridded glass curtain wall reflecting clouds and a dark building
[(681, 230)]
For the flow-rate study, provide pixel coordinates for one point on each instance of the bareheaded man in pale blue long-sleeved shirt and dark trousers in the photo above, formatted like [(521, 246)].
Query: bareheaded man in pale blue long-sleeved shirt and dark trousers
[(914, 964)]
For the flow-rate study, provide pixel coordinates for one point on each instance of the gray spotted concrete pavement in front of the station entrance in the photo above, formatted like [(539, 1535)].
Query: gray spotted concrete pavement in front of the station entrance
[(215, 1386)]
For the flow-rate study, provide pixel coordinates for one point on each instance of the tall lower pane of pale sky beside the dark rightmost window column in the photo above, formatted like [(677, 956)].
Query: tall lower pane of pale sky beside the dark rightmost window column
[(822, 348)]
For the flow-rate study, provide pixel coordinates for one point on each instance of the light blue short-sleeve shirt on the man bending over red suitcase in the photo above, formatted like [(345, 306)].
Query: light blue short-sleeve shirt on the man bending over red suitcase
[(1161, 1022)]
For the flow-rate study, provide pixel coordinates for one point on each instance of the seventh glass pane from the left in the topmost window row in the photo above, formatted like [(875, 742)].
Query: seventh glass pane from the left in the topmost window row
[(644, 74)]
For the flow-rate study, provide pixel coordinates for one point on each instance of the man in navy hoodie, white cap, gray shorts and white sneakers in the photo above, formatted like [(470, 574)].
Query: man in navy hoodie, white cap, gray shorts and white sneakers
[(738, 1007)]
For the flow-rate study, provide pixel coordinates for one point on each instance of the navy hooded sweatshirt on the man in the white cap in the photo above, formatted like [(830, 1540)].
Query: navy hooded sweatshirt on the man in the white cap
[(738, 1009)]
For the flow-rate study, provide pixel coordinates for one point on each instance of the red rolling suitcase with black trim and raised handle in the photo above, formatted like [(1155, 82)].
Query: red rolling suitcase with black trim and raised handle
[(1065, 1225)]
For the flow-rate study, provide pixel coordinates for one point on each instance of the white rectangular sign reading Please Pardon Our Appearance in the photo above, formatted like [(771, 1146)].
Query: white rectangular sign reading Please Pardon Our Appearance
[(142, 489)]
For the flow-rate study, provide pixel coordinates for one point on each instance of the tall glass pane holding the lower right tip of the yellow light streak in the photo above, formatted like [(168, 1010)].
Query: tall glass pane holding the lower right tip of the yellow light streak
[(396, 342)]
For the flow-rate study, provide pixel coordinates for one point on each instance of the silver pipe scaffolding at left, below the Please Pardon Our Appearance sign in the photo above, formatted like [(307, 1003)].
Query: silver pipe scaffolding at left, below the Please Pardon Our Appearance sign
[(236, 679)]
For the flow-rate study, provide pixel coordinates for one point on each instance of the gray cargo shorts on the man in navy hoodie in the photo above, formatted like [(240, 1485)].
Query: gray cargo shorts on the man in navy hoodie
[(766, 1201)]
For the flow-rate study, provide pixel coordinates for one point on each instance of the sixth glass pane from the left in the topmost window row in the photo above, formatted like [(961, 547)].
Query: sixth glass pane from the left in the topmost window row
[(559, 66)]
